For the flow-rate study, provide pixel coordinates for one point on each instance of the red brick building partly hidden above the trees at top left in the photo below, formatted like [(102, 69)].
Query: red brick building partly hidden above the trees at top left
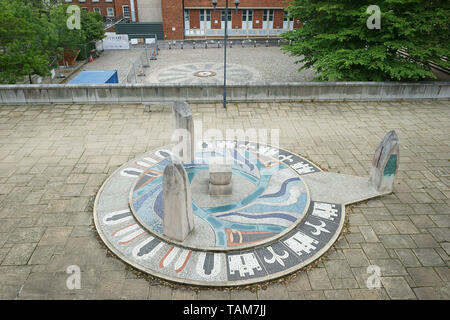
[(110, 8)]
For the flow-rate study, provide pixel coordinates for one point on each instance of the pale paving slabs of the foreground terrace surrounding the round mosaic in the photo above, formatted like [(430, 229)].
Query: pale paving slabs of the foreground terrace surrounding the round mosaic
[(54, 158)]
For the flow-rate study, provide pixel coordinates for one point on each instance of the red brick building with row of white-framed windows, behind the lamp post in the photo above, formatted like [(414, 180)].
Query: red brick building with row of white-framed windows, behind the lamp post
[(198, 19)]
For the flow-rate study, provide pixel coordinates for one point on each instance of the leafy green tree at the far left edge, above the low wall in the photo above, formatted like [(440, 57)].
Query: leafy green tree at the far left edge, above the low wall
[(25, 36)]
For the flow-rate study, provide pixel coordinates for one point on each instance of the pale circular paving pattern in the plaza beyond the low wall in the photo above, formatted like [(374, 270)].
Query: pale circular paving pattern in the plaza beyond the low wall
[(205, 73)]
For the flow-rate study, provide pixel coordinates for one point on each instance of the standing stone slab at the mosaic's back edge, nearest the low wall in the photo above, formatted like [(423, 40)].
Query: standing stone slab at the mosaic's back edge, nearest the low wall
[(183, 132)]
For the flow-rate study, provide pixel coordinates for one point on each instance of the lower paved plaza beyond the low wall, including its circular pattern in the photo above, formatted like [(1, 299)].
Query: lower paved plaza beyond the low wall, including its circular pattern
[(247, 64)]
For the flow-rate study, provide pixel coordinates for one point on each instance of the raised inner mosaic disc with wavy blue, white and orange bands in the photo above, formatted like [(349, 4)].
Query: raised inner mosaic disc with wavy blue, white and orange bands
[(272, 199)]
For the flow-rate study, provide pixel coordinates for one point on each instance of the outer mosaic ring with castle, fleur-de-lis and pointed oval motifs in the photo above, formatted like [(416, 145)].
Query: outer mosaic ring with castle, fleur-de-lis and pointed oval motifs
[(123, 235)]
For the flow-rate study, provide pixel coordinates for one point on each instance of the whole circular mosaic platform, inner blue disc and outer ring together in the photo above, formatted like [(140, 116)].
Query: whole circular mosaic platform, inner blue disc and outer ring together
[(269, 227)]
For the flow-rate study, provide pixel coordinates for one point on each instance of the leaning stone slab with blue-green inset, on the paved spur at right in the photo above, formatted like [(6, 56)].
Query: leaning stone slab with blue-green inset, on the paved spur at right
[(385, 163)]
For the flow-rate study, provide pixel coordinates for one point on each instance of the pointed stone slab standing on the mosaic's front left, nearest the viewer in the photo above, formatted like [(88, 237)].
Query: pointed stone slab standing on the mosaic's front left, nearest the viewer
[(178, 217)]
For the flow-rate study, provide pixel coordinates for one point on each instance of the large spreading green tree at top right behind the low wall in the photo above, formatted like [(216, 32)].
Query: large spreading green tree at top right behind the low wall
[(336, 42)]
